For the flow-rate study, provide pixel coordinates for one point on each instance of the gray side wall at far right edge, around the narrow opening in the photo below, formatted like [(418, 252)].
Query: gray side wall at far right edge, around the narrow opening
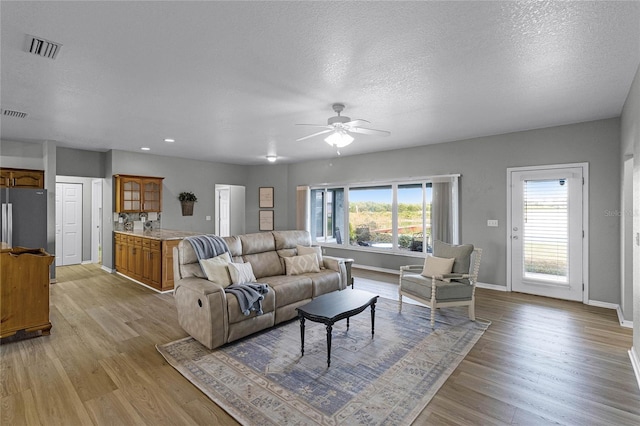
[(630, 141)]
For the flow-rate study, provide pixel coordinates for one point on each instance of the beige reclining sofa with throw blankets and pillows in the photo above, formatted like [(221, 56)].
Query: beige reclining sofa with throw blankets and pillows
[(214, 318)]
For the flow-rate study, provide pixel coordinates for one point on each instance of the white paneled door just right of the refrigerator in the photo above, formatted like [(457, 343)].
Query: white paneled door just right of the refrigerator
[(68, 223)]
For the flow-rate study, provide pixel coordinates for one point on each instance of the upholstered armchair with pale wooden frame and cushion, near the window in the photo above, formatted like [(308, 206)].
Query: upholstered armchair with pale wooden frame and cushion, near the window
[(448, 278)]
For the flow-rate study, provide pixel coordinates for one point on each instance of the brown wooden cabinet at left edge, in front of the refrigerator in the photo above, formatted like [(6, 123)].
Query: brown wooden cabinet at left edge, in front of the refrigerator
[(24, 291)]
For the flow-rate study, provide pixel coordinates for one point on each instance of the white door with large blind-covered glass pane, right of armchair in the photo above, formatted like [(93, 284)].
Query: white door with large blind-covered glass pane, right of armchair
[(546, 237)]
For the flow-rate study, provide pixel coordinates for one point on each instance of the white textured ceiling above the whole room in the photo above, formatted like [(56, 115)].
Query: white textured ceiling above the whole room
[(229, 80)]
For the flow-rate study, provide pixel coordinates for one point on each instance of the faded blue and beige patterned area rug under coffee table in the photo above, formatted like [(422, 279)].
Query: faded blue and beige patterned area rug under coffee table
[(387, 380)]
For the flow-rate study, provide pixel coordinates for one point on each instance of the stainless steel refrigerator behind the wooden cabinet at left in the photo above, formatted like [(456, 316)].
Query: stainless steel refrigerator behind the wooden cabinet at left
[(24, 217)]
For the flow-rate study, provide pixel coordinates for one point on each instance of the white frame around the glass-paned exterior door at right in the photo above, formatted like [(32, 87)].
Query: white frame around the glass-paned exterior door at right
[(585, 219)]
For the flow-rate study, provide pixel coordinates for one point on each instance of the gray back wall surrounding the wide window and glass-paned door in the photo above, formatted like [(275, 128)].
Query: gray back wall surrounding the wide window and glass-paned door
[(483, 162)]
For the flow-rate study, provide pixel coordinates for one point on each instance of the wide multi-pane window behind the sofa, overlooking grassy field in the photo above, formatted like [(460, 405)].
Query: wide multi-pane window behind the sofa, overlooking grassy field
[(392, 217)]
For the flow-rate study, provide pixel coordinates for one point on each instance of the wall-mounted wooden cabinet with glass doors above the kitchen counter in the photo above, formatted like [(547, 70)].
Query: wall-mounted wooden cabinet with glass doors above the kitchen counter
[(138, 193)]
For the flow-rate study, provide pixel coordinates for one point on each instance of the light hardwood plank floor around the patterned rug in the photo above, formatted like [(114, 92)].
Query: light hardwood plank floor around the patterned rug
[(542, 361)]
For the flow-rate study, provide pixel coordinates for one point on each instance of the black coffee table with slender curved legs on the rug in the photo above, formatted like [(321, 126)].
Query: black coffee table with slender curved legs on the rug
[(332, 307)]
